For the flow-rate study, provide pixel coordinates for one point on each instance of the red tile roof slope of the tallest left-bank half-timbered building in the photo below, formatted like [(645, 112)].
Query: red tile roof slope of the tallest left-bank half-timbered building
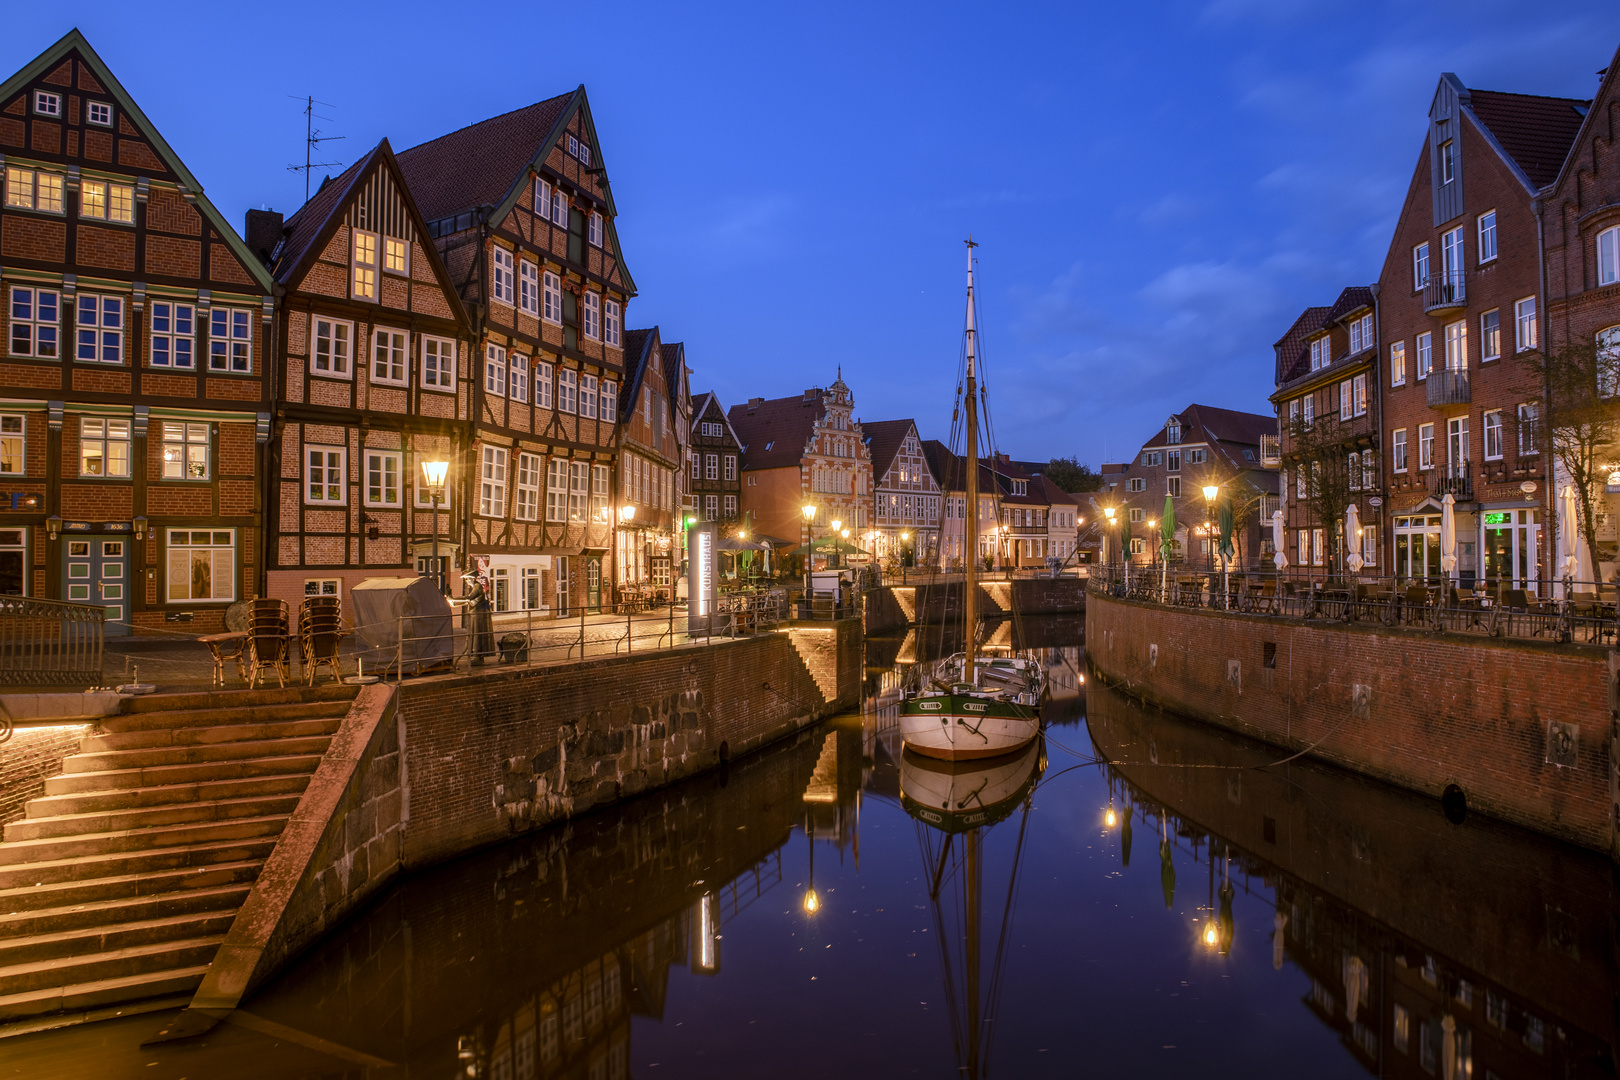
[(479, 164)]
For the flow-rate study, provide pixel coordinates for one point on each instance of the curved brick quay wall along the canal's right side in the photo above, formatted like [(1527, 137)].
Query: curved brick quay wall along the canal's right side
[(1413, 708)]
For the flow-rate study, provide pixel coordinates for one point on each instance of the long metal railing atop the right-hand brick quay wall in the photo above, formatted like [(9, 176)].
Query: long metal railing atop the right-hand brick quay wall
[(1556, 611)]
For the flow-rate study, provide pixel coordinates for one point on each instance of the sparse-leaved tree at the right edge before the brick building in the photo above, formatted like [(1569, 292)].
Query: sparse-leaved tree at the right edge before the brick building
[(1580, 415)]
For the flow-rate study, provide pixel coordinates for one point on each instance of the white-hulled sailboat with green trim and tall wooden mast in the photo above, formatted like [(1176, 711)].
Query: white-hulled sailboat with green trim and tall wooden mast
[(979, 705)]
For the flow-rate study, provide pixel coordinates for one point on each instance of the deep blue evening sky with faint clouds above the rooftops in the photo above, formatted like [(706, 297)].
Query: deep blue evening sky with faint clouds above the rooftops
[(1157, 189)]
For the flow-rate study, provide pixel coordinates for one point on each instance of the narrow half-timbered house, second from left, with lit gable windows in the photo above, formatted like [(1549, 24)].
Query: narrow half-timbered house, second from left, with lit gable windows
[(373, 381)]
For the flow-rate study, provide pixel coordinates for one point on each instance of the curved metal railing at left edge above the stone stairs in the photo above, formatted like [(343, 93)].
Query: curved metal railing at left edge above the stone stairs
[(49, 644)]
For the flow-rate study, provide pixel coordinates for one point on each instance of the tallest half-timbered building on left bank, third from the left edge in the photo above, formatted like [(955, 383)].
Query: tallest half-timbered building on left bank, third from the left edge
[(521, 210)]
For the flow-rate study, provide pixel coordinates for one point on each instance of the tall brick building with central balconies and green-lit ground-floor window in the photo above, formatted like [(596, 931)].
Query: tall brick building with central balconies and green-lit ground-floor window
[(1459, 312)]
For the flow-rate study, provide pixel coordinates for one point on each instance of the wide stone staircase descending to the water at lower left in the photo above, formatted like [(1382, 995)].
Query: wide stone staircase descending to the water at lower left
[(124, 878)]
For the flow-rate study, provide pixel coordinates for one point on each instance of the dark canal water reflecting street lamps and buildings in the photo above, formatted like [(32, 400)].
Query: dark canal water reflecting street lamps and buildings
[(1235, 921)]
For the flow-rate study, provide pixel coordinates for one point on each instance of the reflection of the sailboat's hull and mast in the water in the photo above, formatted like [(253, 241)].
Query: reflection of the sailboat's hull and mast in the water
[(966, 801)]
